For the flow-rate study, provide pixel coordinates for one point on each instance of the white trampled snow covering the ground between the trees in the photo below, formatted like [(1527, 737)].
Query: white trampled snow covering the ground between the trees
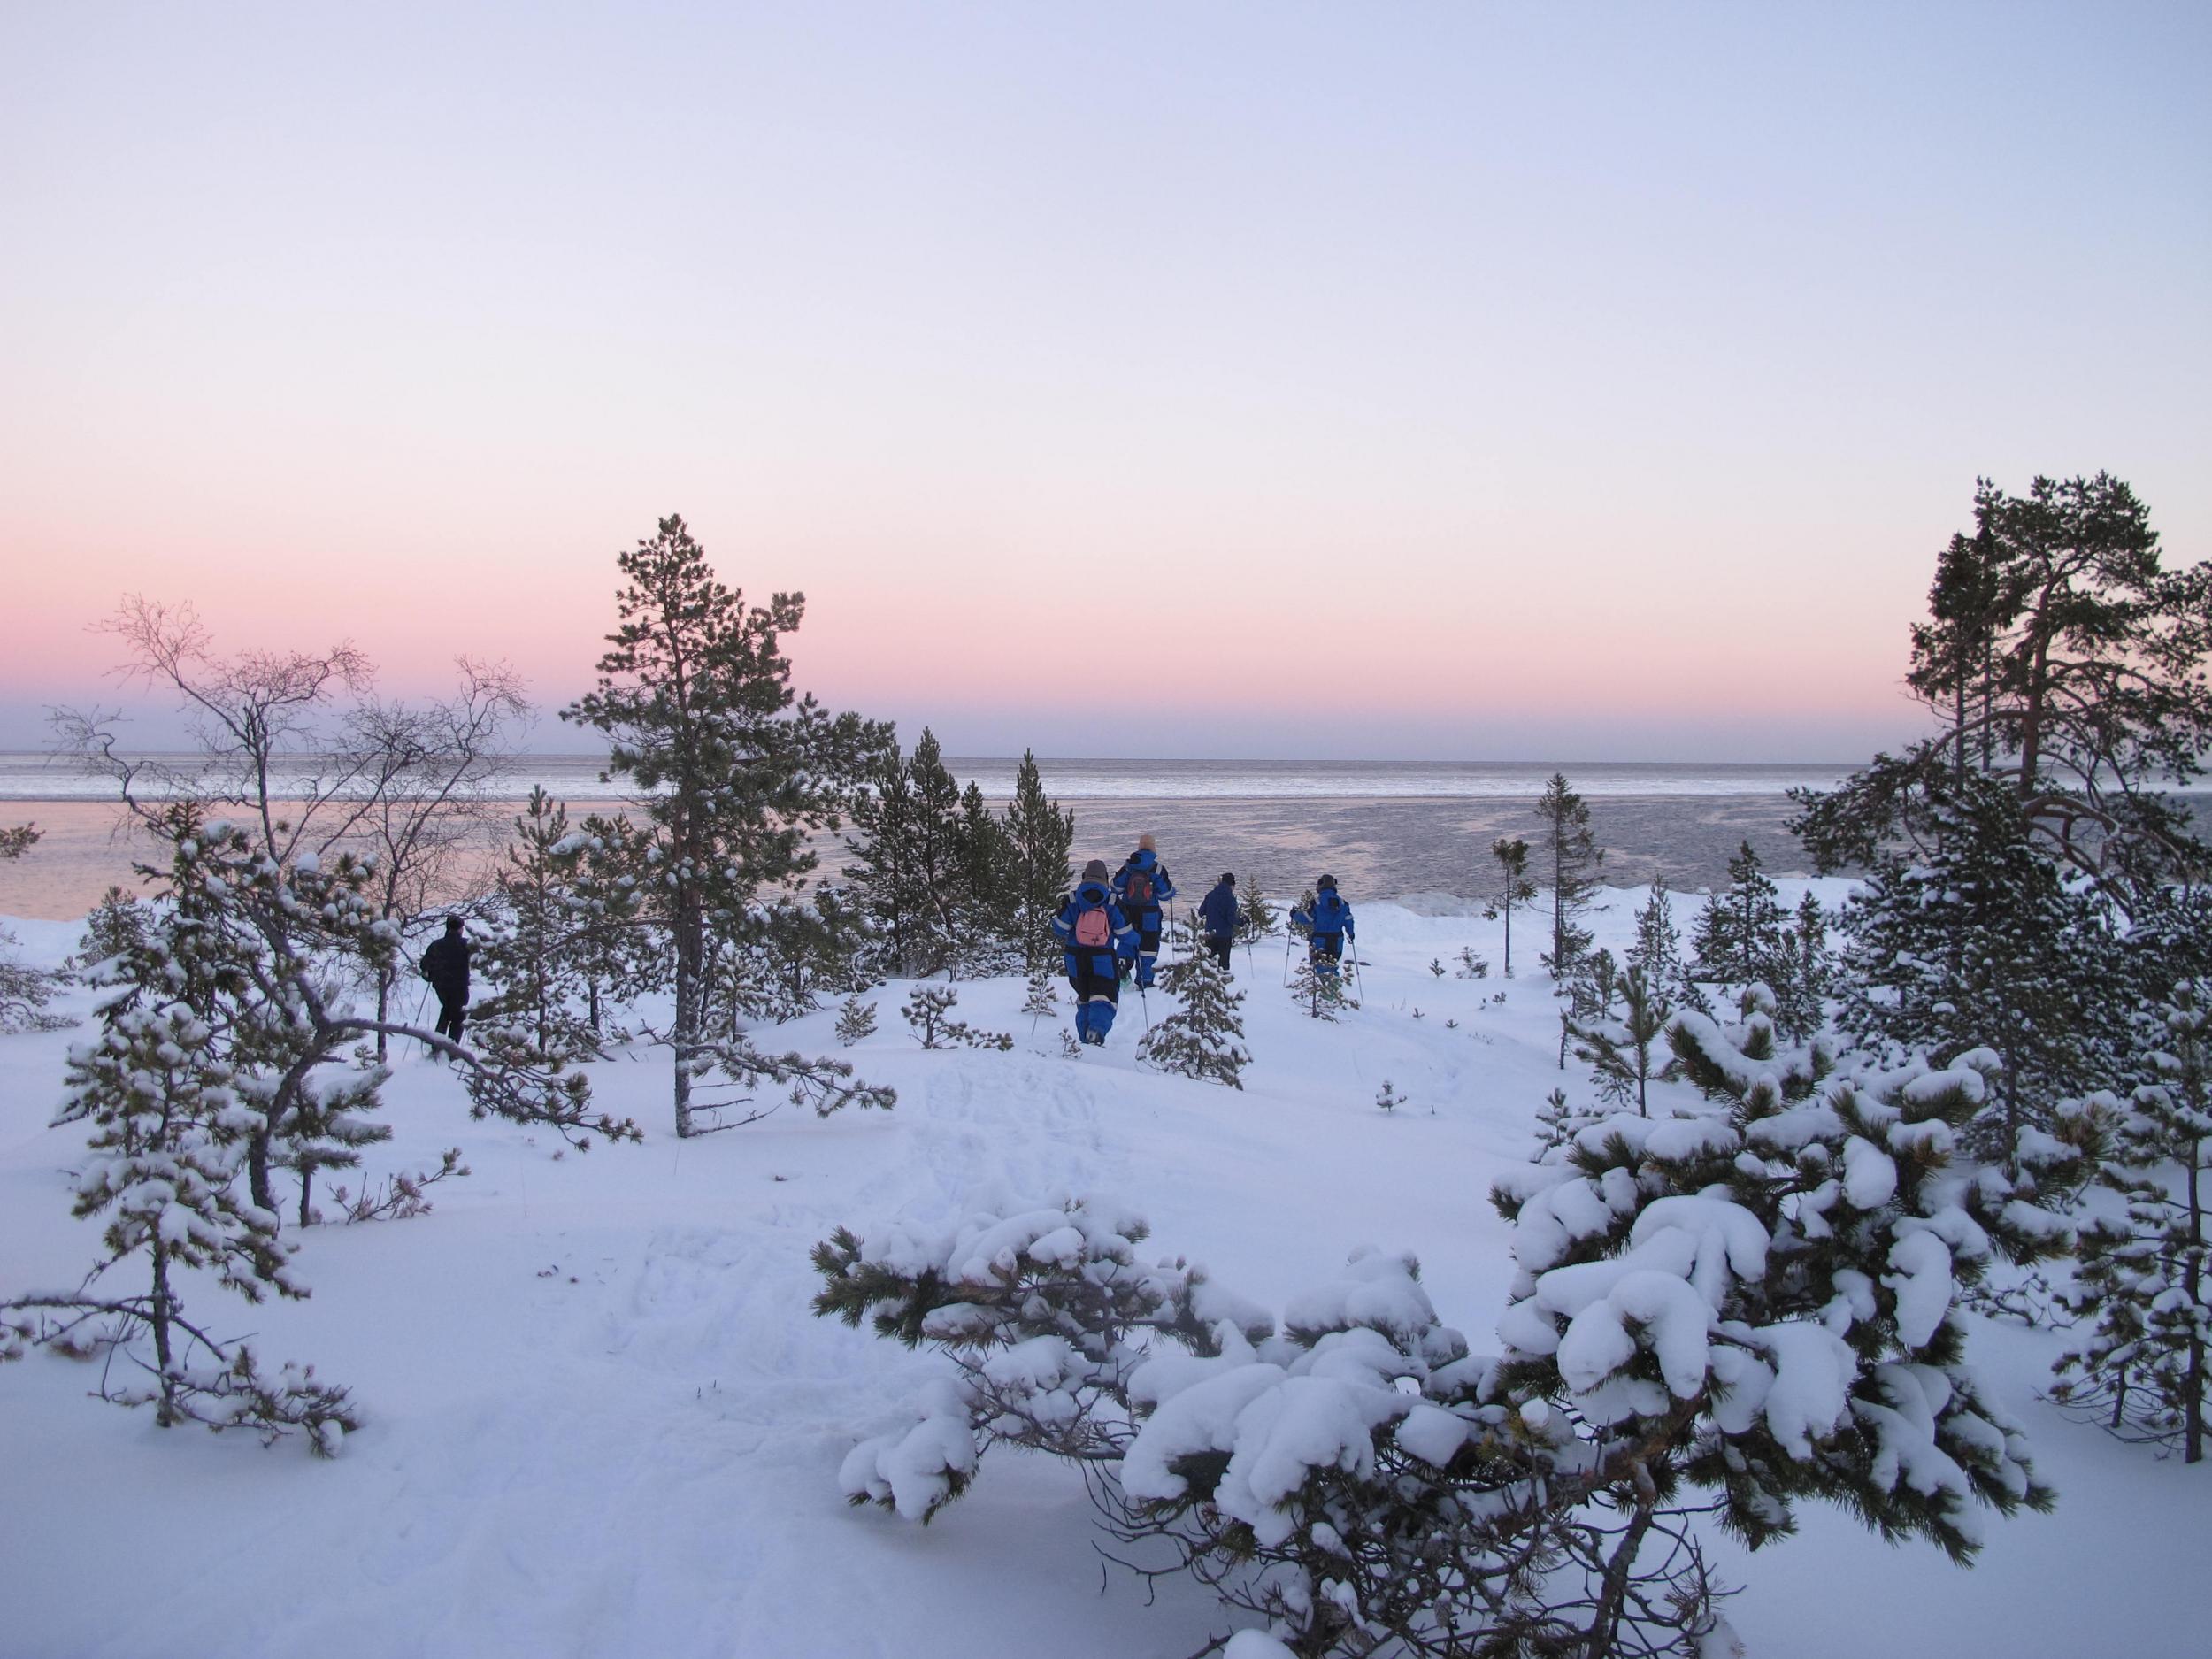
[(603, 1421)]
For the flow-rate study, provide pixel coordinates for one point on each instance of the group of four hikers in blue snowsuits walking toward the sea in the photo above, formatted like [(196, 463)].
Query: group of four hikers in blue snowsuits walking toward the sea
[(1112, 926)]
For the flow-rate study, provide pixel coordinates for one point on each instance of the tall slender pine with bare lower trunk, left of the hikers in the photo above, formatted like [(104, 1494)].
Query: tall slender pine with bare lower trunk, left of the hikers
[(731, 771)]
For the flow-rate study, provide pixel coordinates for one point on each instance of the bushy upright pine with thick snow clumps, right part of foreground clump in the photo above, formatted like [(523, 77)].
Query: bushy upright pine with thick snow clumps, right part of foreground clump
[(1760, 1308)]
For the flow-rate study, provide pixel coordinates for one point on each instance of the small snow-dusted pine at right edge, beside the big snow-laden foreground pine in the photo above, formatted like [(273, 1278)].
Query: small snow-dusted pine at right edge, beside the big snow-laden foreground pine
[(2145, 1280)]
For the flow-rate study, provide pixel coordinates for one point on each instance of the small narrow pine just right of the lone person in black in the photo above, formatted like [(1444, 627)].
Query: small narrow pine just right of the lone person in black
[(539, 957)]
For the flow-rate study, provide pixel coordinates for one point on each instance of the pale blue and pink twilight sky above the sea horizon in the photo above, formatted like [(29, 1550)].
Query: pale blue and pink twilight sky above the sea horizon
[(1240, 382)]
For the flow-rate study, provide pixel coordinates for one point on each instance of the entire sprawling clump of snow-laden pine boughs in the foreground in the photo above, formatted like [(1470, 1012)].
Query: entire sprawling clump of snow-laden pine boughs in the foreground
[(1715, 1315)]
